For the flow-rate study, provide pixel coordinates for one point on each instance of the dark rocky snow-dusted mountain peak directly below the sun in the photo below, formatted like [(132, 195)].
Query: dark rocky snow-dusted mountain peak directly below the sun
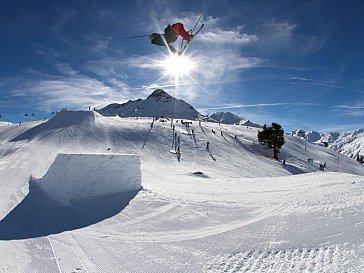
[(158, 104)]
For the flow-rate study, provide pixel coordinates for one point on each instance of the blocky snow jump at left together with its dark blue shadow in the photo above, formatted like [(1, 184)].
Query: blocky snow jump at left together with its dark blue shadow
[(74, 193)]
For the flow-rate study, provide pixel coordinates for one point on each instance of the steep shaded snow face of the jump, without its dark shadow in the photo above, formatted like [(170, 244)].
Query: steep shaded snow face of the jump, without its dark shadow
[(74, 177)]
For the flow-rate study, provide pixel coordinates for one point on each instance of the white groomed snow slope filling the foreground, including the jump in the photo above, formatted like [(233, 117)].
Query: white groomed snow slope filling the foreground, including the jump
[(229, 208)]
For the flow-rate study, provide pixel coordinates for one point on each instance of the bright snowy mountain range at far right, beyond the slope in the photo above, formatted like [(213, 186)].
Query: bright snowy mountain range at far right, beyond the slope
[(349, 143)]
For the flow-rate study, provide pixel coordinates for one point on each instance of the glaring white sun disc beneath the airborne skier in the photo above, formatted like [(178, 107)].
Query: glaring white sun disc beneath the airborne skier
[(176, 65)]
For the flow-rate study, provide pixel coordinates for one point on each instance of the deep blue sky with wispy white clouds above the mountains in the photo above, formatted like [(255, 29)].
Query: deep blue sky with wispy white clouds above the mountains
[(298, 63)]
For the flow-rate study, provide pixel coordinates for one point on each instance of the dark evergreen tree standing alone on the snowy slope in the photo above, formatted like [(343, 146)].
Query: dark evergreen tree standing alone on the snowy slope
[(272, 137)]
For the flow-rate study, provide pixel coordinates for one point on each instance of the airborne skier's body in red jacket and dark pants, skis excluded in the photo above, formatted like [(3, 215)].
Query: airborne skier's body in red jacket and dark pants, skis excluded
[(170, 35)]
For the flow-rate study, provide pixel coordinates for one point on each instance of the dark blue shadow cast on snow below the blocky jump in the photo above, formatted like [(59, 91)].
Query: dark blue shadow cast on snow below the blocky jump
[(39, 215)]
